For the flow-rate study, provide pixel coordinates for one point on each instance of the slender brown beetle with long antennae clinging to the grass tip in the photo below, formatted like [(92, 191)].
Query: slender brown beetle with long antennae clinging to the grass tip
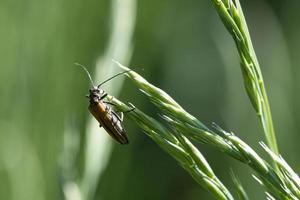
[(103, 112)]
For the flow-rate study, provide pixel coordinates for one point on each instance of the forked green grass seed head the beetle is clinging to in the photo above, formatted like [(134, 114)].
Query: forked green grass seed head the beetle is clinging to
[(184, 125)]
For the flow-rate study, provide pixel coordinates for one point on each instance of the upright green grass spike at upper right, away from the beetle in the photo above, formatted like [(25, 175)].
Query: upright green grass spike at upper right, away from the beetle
[(233, 18)]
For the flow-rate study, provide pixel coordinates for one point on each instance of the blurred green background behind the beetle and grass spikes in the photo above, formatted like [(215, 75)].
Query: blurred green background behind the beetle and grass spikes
[(180, 46)]
